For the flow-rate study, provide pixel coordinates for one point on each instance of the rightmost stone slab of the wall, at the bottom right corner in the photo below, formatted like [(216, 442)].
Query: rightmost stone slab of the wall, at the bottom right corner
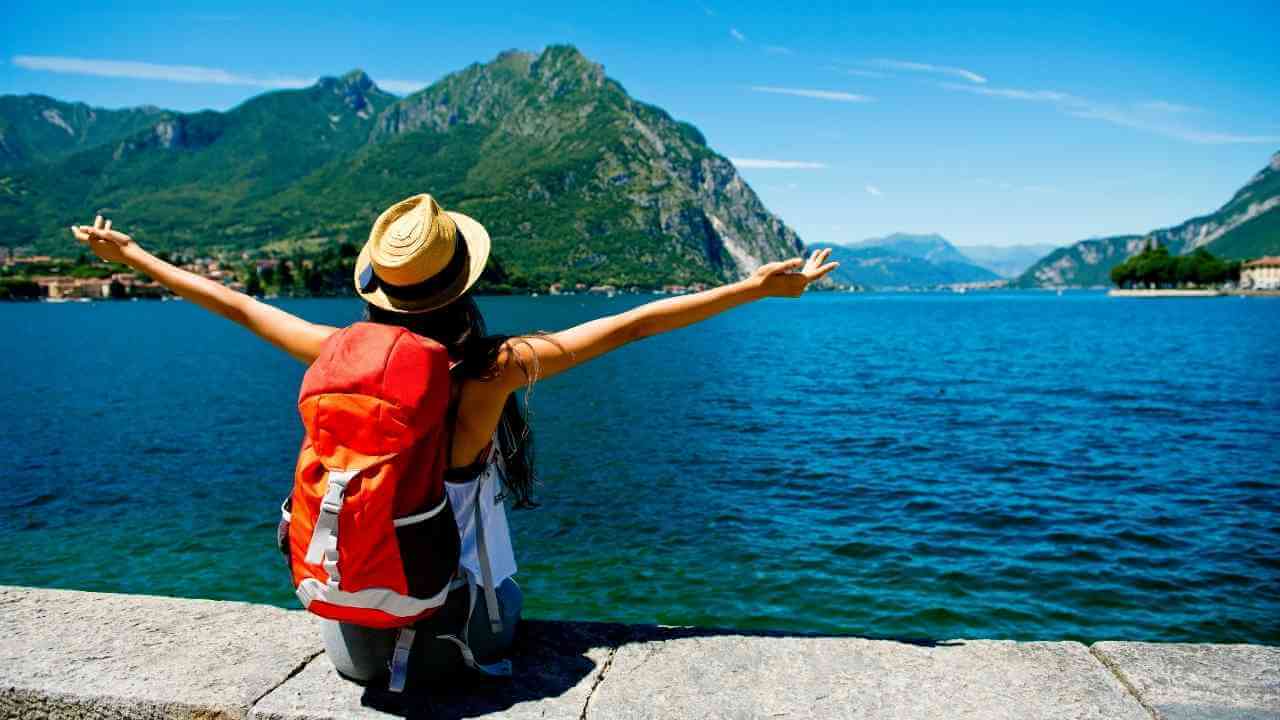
[(1201, 682)]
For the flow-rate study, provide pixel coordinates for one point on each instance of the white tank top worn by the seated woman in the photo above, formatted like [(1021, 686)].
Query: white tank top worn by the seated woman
[(497, 535)]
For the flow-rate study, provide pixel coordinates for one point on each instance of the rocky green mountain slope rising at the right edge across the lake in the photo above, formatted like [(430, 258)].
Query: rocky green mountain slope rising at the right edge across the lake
[(1247, 226)]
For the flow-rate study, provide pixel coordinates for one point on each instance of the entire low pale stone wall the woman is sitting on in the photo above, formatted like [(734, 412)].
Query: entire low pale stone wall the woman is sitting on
[(80, 655)]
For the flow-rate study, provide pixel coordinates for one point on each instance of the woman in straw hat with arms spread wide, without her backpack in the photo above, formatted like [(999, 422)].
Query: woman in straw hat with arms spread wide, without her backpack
[(417, 271)]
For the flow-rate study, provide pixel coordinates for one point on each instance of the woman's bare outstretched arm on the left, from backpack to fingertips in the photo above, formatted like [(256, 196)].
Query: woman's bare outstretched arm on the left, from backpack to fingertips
[(291, 334)]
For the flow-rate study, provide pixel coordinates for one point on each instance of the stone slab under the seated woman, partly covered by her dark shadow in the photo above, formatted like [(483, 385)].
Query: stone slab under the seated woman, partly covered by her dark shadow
[(556, 667)]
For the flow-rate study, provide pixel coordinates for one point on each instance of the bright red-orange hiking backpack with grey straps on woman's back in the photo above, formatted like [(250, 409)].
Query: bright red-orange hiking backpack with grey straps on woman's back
[(371, 537)]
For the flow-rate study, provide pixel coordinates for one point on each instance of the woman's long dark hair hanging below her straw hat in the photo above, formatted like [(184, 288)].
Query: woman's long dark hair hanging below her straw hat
[(460, 329)]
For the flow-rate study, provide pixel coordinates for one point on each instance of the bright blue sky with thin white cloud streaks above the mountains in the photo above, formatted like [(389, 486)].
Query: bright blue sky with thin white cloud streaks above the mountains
[(996, 124)]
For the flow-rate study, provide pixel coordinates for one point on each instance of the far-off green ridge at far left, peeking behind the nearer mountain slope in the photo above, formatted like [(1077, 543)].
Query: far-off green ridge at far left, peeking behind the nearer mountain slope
[(35, 129)]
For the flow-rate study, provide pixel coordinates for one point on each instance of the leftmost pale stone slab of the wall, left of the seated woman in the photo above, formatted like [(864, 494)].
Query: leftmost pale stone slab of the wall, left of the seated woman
[(67, 654)]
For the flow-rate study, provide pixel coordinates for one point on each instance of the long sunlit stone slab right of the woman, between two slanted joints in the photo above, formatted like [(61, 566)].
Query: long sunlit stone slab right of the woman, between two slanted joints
[(696, 675)]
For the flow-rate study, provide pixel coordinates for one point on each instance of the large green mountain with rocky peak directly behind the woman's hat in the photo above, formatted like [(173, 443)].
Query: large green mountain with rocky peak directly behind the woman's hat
[(575, 180)]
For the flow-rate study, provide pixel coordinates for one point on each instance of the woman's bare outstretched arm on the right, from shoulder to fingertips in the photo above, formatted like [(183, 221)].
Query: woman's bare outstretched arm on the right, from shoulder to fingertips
[(525, 359)]
